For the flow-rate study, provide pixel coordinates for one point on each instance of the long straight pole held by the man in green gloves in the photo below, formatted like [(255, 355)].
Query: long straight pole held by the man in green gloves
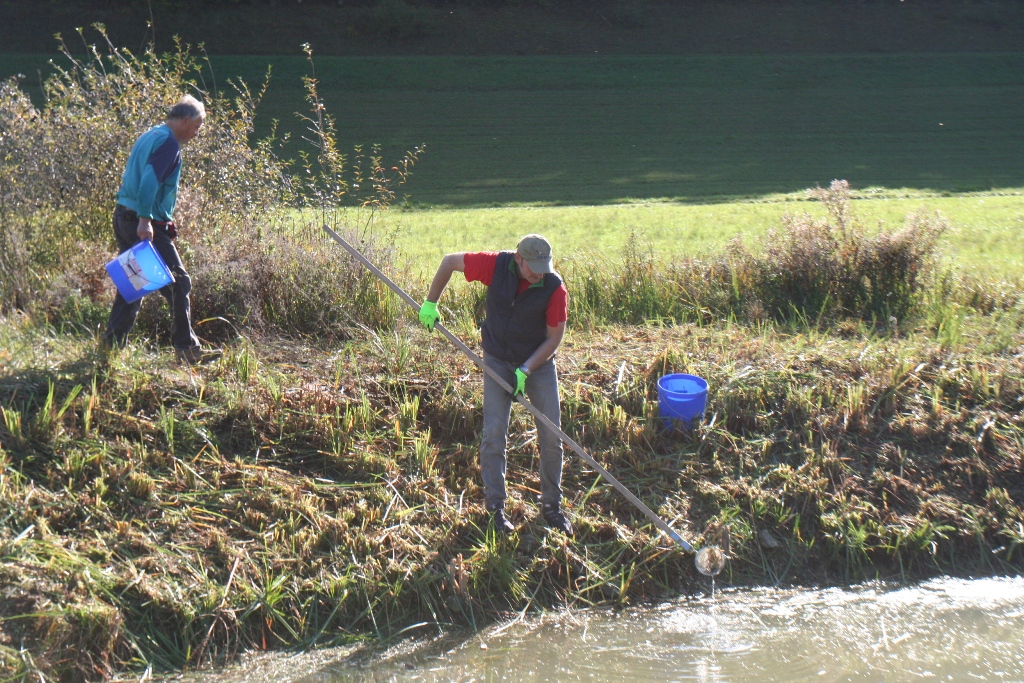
[(541, 417)]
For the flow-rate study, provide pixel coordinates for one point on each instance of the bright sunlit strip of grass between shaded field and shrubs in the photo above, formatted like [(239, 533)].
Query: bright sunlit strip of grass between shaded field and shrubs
[(986, 237)]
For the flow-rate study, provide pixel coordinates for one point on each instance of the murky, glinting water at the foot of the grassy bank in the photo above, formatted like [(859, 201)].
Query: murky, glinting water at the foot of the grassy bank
[(943, 630)]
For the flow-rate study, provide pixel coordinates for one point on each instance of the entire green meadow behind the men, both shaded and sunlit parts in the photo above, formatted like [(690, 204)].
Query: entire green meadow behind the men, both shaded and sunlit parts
[(687, 152)]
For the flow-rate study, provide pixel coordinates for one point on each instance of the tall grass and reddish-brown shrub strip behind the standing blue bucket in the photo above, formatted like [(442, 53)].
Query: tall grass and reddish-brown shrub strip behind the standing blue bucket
[(813, 270)]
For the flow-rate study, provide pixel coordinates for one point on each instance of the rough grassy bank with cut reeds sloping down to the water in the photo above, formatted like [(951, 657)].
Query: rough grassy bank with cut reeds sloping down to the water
[(294, 495)]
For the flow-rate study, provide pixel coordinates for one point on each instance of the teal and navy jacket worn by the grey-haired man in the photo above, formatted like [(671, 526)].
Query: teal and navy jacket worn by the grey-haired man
[(150, 184)]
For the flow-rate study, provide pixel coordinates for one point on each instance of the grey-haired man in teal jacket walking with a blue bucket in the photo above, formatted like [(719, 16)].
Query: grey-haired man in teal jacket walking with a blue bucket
[(145, 211)]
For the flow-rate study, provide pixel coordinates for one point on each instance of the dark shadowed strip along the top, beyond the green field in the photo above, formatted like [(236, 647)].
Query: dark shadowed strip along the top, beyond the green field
[(527, 27)]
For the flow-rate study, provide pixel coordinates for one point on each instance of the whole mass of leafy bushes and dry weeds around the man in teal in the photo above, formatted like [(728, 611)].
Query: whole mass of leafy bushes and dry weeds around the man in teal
[(61, 167)]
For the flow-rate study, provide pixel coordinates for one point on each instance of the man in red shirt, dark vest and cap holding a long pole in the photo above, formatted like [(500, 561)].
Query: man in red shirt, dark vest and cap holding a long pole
[(526, 323)]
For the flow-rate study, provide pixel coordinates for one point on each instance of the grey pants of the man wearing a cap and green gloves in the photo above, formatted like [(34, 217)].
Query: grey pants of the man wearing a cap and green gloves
[(542, 391)]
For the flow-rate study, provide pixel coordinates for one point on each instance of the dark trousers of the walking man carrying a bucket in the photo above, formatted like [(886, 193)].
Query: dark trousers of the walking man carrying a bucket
[(123, 315)]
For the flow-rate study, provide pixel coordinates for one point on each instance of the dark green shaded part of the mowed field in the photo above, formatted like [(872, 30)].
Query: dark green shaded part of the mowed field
[(589, 131)]
